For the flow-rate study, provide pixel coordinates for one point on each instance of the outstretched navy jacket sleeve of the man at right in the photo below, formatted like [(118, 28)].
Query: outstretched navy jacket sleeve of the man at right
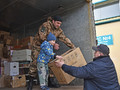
[(86, 71)]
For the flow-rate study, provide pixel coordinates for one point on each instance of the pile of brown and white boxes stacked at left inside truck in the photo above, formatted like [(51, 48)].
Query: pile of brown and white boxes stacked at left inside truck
[(12, 52)]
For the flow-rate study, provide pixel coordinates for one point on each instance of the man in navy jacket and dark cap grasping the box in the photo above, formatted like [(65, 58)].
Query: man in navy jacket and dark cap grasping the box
[(99, 74)]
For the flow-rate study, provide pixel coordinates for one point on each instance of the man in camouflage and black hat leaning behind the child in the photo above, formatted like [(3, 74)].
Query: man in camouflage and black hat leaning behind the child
[(52, 25)]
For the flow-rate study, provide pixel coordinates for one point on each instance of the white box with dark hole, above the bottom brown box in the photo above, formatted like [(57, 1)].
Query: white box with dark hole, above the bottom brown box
[(11, 68)]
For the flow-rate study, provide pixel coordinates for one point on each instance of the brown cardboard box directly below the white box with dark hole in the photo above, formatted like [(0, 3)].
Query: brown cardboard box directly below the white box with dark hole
[(18, 81)]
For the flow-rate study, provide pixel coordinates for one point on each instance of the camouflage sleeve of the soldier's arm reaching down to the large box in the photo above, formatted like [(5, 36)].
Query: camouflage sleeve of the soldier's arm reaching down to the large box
[(65, 40)]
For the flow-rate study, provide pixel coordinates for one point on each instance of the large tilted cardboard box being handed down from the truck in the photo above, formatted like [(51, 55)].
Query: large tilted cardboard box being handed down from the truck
[(71, 57)]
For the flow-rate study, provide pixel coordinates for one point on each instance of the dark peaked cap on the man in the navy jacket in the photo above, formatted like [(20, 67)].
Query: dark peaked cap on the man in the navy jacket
[(102, 48)]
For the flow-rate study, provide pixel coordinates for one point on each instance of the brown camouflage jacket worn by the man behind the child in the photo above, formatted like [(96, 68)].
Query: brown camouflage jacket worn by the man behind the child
[(44, 30)]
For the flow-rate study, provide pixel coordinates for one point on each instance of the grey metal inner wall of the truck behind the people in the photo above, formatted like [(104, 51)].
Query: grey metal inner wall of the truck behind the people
[(78, 26)]
